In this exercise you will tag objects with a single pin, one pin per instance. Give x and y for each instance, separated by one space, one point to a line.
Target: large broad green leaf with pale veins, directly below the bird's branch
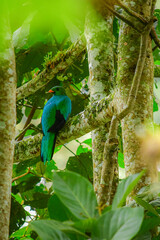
76 193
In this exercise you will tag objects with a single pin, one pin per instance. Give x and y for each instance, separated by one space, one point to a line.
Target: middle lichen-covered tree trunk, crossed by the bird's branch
99 38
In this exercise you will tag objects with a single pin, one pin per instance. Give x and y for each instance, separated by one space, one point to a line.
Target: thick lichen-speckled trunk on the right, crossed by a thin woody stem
129 42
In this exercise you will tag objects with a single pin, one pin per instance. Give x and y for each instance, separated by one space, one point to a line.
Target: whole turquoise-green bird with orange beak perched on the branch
55 114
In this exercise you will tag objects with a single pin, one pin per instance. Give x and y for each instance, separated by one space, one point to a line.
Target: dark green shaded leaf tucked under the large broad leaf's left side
57 210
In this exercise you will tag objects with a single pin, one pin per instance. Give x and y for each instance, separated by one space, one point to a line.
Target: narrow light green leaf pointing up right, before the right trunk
124 188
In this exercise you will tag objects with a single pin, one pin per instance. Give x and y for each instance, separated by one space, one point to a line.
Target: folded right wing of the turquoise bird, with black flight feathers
63 109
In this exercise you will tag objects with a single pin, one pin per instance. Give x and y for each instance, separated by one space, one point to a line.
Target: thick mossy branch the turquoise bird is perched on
93 116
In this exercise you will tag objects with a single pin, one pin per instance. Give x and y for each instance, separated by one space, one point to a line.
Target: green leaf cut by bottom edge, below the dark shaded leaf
51 229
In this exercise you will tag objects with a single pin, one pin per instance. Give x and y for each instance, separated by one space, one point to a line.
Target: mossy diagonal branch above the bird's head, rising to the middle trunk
58 64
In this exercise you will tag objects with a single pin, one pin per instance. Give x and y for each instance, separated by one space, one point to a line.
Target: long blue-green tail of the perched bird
47 146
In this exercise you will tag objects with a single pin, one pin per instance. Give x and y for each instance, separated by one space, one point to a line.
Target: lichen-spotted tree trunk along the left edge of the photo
7 119
